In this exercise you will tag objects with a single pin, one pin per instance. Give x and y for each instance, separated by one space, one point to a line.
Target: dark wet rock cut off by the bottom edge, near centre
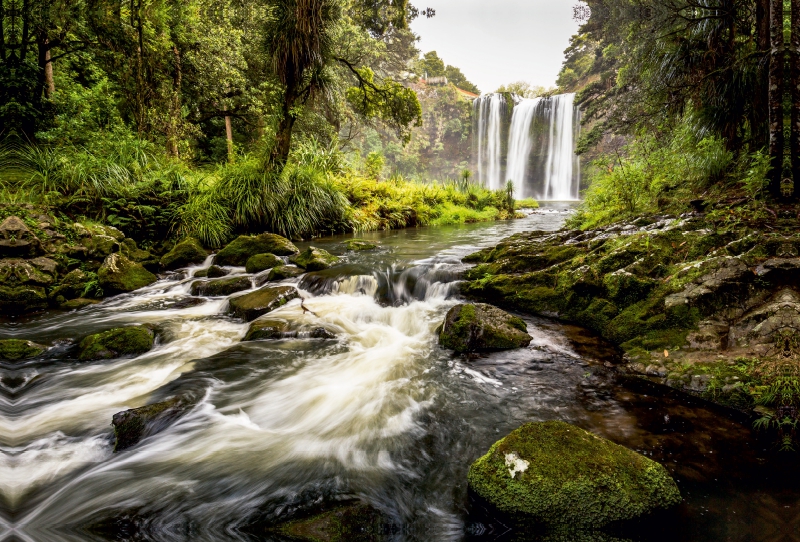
354 523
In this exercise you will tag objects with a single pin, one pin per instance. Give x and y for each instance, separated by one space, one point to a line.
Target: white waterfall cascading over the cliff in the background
540 150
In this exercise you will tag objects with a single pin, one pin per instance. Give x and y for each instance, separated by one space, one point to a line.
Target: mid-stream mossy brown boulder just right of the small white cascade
480 327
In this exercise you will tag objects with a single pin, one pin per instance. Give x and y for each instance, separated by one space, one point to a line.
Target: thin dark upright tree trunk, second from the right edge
776 87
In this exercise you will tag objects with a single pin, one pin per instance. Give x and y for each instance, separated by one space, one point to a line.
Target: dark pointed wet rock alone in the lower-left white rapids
131 426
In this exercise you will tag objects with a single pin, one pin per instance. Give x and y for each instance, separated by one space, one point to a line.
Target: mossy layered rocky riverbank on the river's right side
713 311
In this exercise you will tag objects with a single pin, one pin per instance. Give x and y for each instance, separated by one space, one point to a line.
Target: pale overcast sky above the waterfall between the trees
499 41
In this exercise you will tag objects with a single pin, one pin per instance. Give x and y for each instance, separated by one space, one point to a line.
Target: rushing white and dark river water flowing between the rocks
380 414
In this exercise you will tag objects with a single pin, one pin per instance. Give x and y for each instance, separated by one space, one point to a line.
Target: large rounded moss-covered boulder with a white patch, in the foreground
559 475
